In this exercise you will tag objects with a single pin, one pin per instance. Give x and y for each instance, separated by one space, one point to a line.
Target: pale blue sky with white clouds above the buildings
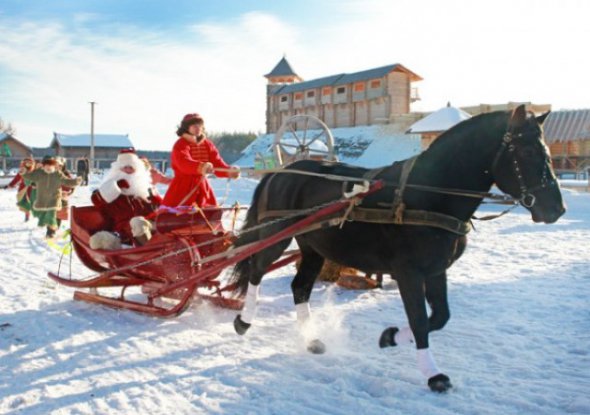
147 63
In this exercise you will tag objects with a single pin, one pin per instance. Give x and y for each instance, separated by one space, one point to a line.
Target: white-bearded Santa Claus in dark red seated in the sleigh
125 197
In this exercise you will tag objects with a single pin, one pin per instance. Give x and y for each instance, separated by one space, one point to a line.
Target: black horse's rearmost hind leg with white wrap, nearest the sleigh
259 263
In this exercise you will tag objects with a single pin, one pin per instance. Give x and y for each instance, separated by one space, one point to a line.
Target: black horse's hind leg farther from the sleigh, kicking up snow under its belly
301 286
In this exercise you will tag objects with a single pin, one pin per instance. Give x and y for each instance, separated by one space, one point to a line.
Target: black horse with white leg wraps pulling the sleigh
430 201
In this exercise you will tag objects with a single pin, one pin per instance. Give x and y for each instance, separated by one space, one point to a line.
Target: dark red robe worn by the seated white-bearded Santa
120 211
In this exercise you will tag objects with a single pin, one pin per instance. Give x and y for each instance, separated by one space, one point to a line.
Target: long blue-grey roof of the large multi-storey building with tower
344 78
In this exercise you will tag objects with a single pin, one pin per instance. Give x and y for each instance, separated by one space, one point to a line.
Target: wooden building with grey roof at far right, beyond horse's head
567 133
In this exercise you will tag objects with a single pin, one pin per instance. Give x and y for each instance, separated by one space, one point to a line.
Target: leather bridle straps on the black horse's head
527 197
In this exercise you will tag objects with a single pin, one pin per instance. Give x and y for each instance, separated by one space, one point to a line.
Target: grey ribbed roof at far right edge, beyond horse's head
567 125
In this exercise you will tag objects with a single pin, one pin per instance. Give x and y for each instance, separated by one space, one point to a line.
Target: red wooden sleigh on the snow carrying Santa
186 246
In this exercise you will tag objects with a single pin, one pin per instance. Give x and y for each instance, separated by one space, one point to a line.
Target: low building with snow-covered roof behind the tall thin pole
106 147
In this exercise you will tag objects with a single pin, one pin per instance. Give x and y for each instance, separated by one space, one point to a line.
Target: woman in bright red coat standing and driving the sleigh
193 157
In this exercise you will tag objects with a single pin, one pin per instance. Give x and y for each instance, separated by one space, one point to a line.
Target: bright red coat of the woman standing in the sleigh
188 185
